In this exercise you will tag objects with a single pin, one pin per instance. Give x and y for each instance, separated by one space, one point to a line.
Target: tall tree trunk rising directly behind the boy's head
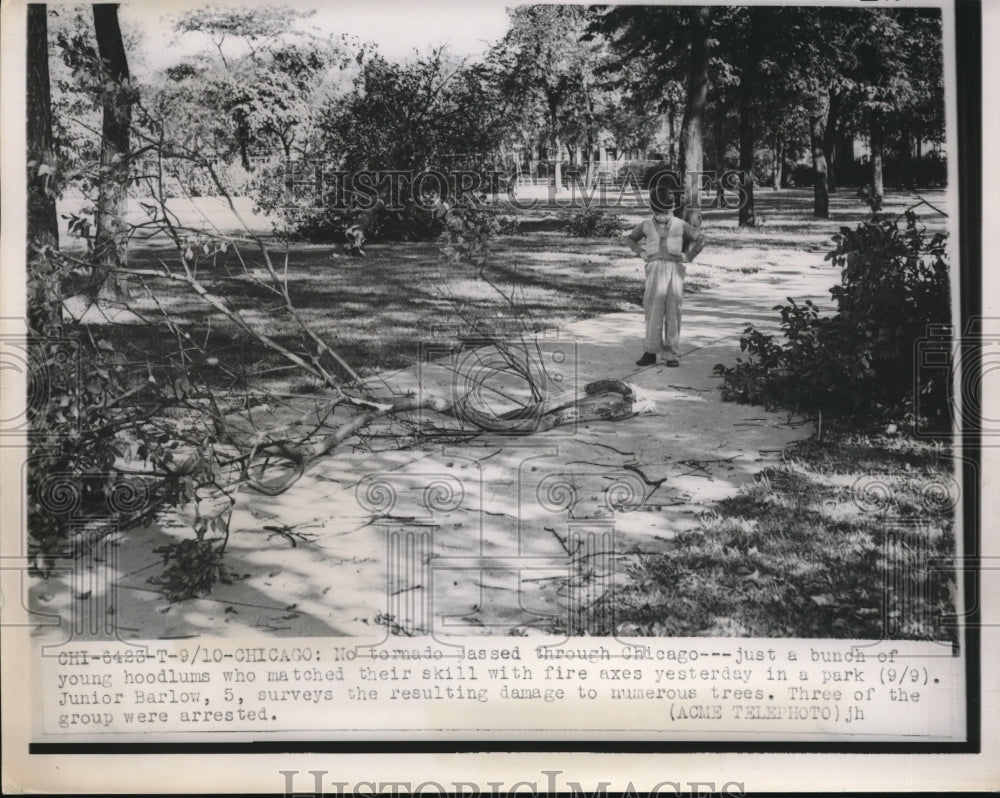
692 138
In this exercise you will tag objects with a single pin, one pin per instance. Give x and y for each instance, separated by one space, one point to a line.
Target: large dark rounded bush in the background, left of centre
434 114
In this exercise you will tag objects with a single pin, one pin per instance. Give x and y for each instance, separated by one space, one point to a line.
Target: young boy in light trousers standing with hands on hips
666 242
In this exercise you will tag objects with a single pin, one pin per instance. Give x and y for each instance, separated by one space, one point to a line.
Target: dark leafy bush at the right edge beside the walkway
861 360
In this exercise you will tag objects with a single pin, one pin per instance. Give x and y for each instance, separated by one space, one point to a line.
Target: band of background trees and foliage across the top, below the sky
754 88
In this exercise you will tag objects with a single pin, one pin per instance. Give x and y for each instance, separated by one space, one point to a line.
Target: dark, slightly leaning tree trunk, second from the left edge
110 235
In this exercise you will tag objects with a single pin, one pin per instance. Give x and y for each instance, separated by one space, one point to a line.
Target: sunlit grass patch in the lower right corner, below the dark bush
850 537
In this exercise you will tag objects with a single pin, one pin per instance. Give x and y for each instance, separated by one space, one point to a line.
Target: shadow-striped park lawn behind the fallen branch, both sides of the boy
379 311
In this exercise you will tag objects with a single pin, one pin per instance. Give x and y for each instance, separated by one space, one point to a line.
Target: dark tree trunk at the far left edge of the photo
43 224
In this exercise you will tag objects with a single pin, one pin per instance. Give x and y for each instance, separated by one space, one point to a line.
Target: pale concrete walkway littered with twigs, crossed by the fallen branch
502 534
